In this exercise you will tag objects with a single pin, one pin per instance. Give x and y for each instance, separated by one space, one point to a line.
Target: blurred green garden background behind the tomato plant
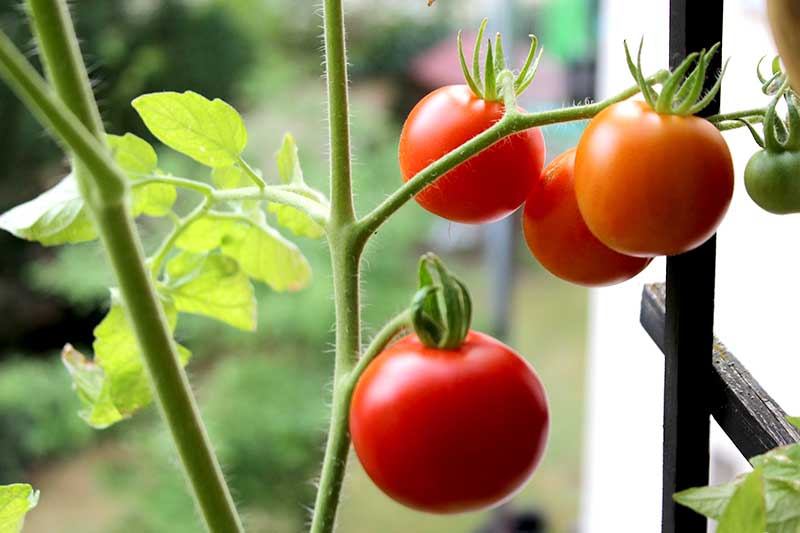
264 394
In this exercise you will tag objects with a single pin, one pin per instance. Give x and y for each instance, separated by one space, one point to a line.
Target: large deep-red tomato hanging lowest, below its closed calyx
447 431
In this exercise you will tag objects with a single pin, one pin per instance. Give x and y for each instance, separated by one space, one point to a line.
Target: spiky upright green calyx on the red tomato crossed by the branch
489 87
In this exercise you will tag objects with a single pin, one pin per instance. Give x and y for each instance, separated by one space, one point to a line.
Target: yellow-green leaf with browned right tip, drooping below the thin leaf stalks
262 253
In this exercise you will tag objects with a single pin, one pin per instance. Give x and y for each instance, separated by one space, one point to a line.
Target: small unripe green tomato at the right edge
772 180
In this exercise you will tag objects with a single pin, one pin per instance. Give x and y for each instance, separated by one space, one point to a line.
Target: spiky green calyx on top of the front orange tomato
682 91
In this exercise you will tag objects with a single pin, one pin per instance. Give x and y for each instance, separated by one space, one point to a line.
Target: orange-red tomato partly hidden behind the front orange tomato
558 237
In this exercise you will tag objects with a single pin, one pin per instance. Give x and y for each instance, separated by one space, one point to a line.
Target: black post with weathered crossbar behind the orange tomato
701 377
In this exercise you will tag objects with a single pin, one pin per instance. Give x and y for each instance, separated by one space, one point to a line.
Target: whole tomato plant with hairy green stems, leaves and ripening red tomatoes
446 419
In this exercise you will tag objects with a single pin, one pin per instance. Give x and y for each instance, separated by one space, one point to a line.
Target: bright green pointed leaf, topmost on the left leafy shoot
209 131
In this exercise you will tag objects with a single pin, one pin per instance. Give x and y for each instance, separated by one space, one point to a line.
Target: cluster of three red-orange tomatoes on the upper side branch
639 184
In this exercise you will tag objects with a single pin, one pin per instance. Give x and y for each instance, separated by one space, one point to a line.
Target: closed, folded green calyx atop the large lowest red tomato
441 310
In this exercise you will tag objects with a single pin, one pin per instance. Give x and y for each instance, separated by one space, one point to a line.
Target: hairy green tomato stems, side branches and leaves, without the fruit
114 174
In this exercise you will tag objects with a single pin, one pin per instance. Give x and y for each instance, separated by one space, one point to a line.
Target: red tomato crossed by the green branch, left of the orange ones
487 187
